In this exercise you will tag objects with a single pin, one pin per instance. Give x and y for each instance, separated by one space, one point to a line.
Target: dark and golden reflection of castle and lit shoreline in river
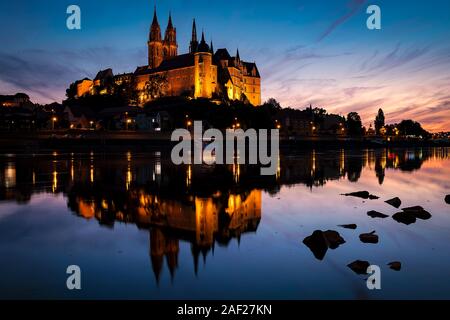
204 205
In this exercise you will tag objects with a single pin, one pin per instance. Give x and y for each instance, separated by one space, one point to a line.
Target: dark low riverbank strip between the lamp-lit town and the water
95 139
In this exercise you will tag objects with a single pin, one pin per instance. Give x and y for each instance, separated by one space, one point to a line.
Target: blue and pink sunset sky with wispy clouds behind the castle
313 51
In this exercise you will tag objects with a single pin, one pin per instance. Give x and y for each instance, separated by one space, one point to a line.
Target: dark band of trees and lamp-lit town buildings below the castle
79 117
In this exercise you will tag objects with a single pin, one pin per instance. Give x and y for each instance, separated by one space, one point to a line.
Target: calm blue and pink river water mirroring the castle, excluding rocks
139 227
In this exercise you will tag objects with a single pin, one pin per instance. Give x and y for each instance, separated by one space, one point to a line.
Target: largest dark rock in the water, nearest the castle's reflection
319 242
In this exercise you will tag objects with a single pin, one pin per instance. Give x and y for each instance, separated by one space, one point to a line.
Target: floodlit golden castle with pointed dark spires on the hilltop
200 73
